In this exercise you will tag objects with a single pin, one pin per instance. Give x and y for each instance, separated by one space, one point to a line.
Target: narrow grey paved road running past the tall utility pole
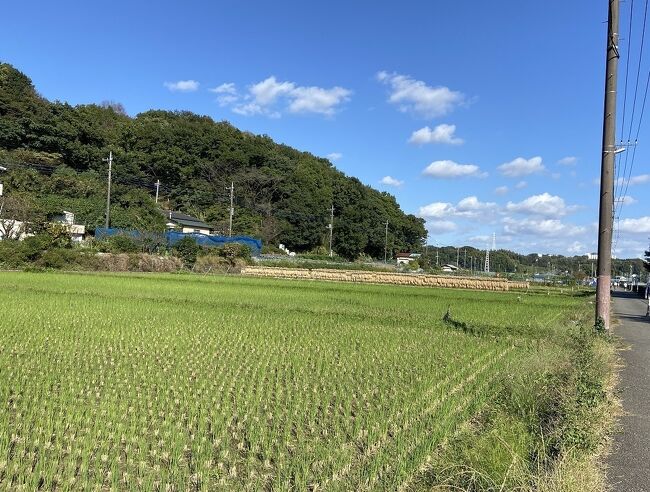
629 462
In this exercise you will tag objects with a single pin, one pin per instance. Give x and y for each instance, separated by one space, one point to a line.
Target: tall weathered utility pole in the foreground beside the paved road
606 218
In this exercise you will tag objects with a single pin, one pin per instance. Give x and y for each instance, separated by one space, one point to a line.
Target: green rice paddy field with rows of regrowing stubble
181 382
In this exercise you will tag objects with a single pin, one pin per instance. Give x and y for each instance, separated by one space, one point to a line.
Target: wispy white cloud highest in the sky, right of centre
417 97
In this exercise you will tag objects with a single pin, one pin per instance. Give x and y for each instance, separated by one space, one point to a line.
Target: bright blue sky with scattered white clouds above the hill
480 117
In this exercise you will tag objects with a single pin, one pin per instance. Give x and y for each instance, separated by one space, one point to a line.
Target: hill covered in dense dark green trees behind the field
54 154
